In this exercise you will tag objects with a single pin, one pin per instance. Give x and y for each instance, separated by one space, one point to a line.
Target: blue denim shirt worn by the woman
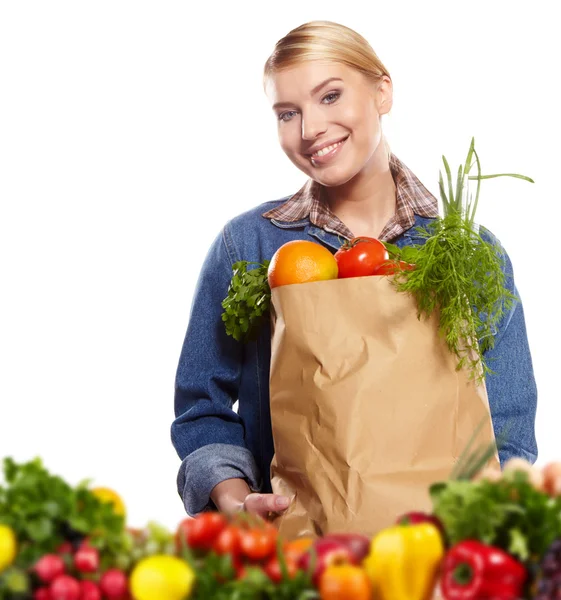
215 443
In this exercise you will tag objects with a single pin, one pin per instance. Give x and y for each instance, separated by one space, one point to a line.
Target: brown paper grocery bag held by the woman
367 407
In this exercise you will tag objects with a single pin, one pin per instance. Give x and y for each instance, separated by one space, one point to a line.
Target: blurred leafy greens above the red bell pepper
509 513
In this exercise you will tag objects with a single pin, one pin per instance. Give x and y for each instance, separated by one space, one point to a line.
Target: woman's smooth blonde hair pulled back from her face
326 41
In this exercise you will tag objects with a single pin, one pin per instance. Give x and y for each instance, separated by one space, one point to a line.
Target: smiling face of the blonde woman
320 104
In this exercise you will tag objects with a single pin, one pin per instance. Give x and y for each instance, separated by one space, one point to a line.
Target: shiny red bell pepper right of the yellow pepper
476 571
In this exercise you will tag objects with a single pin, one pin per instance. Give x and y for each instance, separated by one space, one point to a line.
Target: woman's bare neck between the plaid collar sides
366 202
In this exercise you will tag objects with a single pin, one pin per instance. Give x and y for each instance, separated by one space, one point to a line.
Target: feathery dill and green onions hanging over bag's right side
459 273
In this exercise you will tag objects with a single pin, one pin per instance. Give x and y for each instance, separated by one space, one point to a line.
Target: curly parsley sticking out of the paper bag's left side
248 300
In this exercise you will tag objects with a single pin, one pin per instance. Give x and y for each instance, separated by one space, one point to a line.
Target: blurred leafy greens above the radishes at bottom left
44 510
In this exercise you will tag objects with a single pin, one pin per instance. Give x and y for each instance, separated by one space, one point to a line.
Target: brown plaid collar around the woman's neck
412 198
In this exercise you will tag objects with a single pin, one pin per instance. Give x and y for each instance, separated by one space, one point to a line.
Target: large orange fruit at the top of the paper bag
301 261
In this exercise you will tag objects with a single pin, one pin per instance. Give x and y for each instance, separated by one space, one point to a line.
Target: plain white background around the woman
131 131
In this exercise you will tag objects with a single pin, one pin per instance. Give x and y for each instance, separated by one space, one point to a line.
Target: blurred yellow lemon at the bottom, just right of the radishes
161 576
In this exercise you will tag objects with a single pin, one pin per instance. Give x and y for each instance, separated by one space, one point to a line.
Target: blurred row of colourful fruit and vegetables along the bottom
487 537
